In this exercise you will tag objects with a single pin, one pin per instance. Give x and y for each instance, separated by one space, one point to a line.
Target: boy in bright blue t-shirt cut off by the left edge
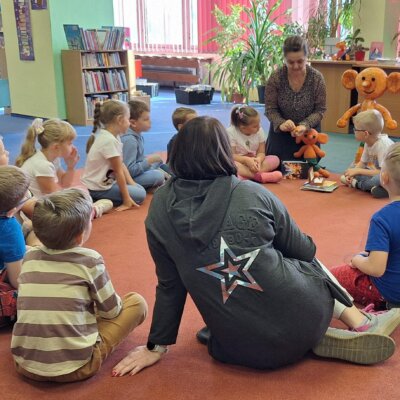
13 187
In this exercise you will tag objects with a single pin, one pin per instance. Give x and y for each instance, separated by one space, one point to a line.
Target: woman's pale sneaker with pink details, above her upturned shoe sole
380 322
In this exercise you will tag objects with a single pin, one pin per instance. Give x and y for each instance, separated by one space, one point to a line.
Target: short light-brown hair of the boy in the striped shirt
60 217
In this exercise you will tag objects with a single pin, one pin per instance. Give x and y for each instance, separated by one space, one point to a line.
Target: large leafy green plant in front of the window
250 54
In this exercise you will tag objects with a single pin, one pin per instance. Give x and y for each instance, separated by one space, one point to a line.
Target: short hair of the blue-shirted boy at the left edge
14 184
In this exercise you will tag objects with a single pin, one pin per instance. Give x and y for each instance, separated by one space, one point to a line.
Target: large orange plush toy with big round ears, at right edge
370 83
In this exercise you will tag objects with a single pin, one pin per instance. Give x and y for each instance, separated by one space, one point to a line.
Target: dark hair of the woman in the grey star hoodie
202 151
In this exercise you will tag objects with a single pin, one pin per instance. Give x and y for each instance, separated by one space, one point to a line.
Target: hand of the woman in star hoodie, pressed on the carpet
135 361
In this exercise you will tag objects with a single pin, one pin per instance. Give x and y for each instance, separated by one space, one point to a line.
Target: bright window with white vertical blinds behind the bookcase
159 26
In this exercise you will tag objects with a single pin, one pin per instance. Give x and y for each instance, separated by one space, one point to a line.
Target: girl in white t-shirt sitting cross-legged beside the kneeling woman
248 146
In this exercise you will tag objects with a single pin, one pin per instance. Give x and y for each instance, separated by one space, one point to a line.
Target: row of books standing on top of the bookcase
106 38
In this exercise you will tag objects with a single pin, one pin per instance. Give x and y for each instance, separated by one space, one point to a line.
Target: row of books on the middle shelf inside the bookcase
98 81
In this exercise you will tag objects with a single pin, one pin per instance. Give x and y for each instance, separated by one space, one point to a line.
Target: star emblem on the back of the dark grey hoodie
232 271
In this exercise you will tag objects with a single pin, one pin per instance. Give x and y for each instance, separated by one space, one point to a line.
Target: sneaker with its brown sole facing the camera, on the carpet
355 347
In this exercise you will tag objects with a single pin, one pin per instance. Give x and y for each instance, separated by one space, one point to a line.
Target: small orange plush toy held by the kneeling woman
310 151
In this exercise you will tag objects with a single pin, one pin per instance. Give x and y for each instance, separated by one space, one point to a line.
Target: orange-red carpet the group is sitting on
338 222
